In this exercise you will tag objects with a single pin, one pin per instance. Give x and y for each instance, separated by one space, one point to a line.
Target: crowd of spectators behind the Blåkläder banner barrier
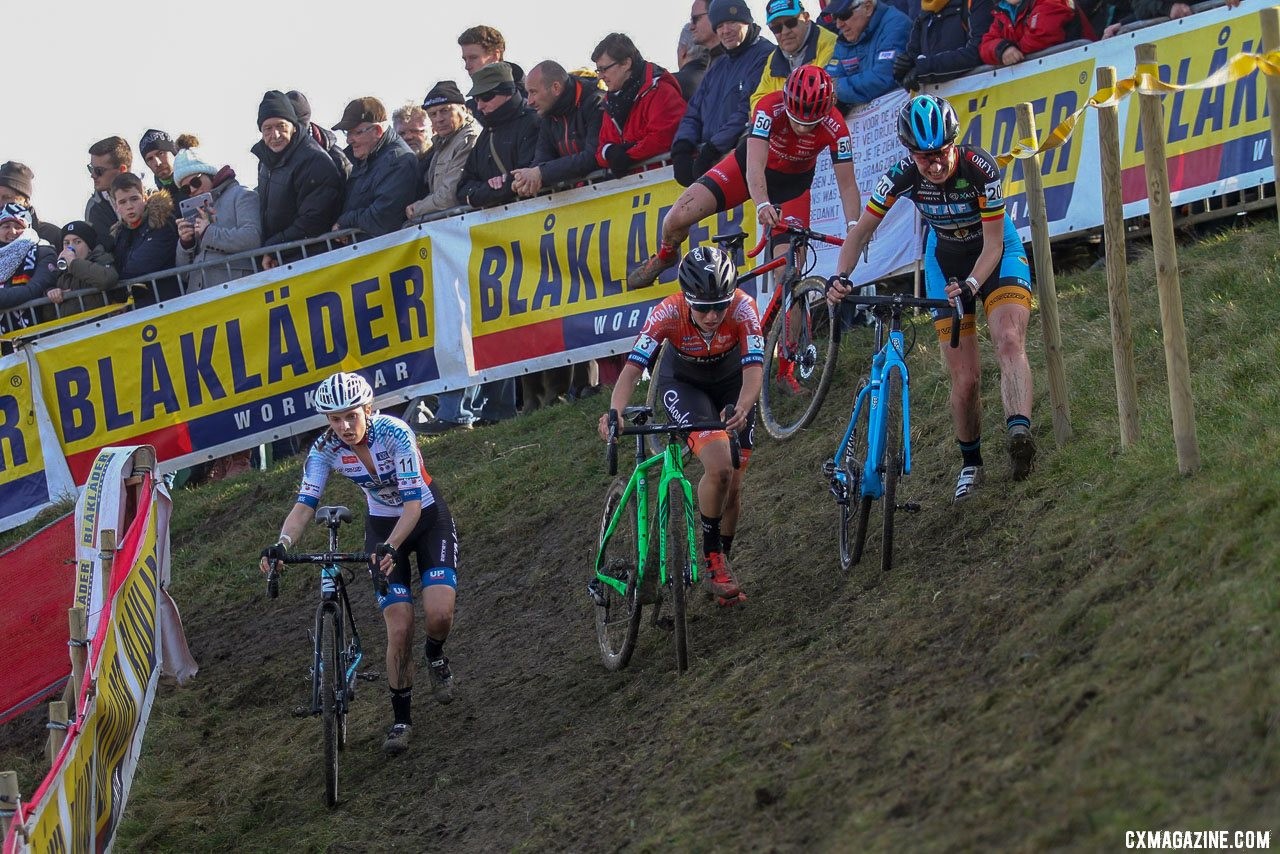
511 136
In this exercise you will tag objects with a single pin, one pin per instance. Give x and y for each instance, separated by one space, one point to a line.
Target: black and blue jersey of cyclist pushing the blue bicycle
956 208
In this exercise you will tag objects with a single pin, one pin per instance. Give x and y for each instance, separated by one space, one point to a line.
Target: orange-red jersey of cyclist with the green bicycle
702 358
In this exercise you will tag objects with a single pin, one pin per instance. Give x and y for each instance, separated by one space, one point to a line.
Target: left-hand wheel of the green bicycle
618 616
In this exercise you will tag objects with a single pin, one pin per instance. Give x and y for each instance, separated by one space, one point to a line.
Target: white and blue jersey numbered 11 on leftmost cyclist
401 476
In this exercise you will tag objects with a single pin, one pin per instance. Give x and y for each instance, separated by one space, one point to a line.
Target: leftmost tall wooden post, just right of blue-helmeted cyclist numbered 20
1046 286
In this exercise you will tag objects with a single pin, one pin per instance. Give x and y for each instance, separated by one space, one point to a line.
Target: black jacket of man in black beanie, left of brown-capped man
299 190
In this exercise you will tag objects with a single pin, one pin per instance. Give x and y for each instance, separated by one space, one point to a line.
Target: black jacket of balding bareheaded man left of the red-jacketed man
572 133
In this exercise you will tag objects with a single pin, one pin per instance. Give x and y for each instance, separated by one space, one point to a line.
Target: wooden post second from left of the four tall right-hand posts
1118 268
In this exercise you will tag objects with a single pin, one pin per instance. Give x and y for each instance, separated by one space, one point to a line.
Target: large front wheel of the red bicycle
799 360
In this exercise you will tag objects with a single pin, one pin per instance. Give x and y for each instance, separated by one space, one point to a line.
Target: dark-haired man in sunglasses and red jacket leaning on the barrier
642 111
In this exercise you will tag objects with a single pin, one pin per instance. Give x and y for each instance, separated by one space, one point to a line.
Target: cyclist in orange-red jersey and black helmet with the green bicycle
719 362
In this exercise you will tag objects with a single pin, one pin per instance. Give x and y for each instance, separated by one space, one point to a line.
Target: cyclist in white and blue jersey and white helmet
406 515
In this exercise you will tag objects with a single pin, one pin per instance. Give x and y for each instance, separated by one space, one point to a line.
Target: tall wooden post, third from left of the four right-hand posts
1168 282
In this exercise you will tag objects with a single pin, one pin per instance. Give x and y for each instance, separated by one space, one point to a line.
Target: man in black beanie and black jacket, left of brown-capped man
299 188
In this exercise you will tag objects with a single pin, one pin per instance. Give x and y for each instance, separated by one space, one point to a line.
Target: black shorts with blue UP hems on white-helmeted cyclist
435 541
